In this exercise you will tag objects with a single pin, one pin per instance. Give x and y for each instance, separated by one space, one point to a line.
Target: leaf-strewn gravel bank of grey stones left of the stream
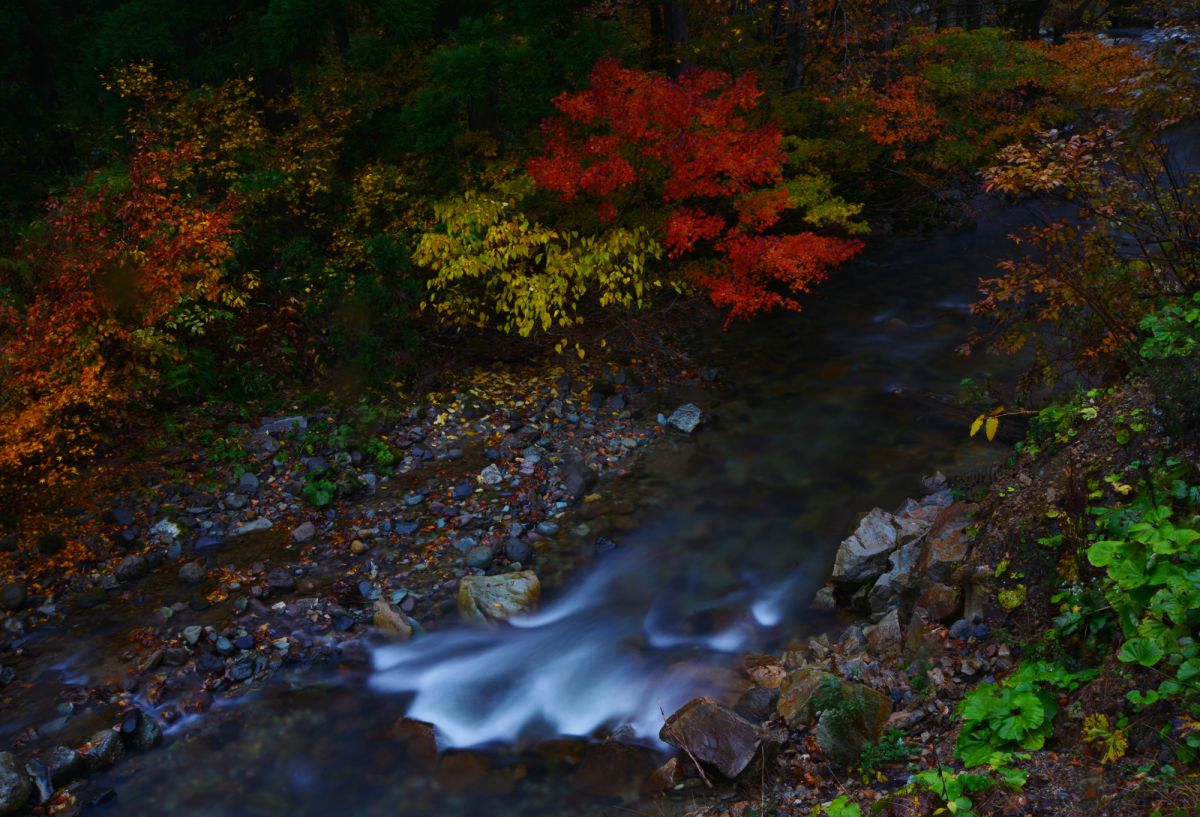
299 542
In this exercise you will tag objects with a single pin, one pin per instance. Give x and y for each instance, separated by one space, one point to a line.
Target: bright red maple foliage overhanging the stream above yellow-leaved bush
692 157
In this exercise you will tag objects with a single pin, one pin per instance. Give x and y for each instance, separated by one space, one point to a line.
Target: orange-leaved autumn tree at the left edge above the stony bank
128 267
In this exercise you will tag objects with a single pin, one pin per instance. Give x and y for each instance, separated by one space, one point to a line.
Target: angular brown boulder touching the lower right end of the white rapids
715 735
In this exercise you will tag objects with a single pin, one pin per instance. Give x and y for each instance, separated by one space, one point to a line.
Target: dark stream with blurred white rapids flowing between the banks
826 414
